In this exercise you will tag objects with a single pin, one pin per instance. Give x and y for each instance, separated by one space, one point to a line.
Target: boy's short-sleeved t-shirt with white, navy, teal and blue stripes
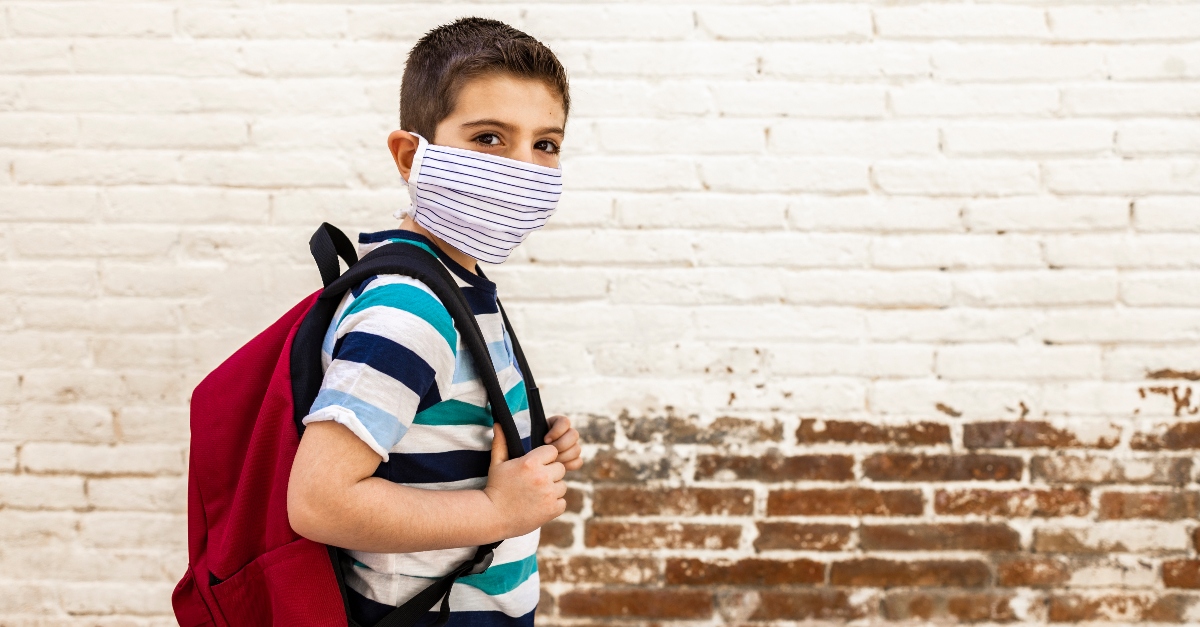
399 377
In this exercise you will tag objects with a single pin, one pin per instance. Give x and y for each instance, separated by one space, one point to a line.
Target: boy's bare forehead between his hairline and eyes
511 101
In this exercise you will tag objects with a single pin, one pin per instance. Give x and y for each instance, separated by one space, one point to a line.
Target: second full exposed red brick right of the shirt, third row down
851 501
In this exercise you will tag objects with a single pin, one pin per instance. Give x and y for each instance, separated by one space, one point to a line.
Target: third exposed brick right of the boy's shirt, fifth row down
887 574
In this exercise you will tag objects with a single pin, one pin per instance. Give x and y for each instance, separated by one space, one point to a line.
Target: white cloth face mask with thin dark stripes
482 205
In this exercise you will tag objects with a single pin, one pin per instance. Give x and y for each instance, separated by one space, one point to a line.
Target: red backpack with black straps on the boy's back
247 566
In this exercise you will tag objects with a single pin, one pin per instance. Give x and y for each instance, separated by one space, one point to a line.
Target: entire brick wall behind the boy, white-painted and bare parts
871 312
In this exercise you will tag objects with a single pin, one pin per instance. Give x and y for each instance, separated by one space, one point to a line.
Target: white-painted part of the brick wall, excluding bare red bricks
868 211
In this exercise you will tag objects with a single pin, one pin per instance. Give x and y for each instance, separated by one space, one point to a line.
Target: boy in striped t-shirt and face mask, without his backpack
483 109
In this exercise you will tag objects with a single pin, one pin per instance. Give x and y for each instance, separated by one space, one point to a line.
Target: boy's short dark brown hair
451 56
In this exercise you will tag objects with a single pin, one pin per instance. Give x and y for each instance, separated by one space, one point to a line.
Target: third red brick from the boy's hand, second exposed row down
908 468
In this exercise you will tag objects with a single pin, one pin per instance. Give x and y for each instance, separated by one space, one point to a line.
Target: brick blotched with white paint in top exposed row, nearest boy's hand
676 431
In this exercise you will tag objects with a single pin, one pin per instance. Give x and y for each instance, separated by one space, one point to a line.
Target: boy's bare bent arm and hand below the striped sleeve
333 498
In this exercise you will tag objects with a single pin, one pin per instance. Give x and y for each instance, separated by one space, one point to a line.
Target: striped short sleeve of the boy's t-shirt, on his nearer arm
393 356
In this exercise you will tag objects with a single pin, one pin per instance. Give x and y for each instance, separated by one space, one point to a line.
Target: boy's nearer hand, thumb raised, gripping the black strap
527 492
